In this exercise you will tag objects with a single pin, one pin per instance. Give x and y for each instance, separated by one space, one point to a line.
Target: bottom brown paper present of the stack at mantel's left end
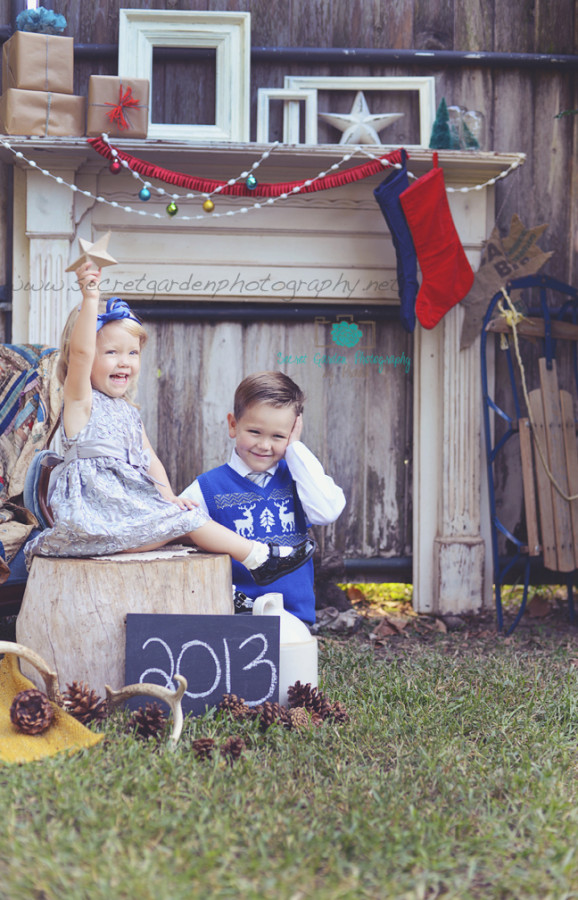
40 113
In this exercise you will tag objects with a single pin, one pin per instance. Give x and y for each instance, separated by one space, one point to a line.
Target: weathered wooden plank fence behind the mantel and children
356 434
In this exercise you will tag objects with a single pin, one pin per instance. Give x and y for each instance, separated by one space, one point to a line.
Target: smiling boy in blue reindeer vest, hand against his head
273 488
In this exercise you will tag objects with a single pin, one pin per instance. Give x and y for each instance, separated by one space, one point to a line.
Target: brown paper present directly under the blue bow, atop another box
38 62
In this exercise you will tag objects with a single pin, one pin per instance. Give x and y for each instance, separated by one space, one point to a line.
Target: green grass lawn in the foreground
456 777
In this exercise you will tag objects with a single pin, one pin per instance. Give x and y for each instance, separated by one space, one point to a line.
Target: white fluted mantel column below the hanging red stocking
450 558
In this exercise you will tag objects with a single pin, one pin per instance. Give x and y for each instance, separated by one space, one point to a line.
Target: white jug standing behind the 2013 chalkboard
298 650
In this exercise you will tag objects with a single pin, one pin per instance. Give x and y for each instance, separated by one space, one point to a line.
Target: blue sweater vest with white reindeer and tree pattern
273 513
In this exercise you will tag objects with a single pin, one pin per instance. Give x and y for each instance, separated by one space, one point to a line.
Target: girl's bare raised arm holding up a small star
77 385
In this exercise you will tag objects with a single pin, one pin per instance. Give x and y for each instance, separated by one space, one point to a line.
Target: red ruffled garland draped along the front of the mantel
208 185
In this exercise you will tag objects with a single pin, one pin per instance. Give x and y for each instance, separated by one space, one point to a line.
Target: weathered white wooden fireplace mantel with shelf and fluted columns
336 234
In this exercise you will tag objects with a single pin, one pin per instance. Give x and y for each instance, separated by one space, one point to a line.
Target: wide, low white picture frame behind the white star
424 85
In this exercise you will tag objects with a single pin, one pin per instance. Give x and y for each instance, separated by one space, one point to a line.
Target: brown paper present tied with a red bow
118 107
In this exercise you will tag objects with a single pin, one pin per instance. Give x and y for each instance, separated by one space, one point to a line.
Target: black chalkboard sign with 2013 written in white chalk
216 654
